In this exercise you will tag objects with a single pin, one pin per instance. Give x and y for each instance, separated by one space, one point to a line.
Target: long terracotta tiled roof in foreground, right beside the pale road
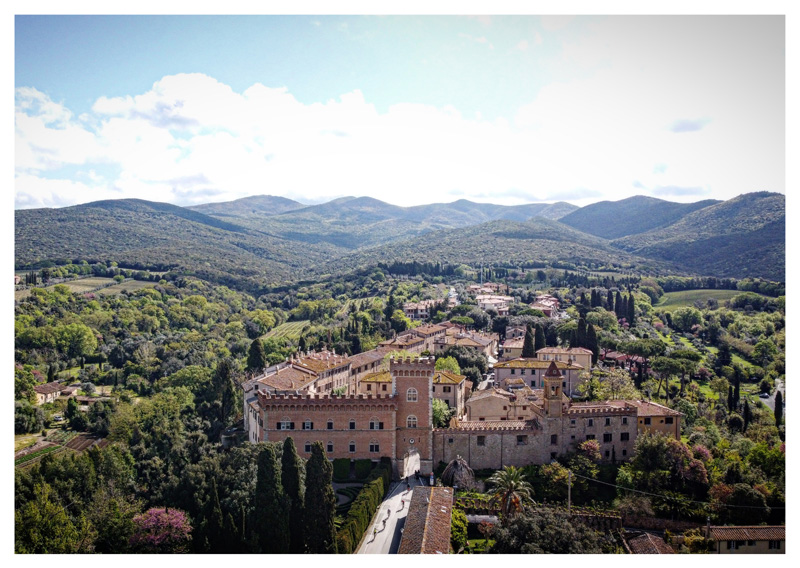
427 528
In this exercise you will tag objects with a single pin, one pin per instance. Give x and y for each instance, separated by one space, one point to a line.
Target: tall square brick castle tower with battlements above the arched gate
412 384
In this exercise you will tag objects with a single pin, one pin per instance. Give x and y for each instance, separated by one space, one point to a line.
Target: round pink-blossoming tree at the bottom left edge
161 530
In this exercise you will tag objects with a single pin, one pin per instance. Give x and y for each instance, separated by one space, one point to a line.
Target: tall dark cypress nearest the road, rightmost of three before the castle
318 514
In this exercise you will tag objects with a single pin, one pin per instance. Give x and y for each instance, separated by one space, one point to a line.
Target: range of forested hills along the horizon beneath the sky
249 240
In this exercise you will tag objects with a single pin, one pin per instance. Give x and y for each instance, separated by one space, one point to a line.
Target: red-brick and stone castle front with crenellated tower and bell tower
399 424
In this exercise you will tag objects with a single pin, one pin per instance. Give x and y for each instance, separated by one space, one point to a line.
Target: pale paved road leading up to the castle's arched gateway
384 537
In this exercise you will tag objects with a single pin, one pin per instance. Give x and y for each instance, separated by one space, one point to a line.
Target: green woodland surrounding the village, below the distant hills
168 359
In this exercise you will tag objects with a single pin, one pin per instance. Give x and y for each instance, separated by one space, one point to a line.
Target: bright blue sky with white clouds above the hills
406 109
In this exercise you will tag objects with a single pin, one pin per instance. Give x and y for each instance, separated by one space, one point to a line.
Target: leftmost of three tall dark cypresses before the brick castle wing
271 504
